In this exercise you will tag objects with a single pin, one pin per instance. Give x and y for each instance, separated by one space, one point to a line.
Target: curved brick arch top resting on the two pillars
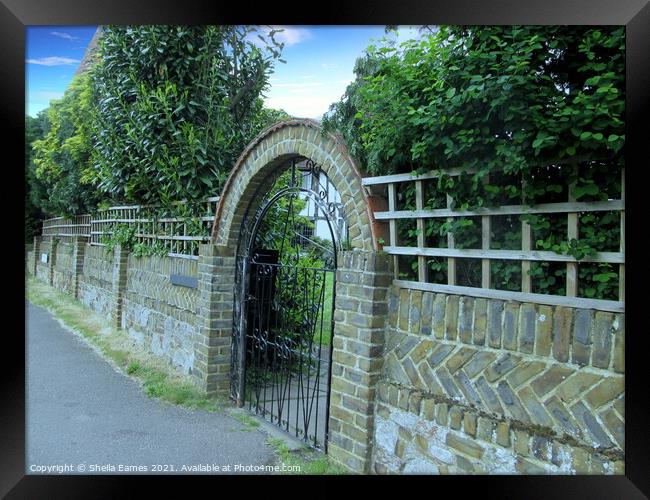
272 148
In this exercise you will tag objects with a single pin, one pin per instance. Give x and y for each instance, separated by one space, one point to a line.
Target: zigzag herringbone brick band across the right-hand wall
586 405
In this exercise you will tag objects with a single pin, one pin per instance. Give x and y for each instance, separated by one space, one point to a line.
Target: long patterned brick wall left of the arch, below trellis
133 293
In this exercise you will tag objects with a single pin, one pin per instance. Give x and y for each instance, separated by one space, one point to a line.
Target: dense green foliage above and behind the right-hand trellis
511 102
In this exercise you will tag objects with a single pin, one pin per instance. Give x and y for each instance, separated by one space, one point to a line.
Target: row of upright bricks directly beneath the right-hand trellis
580 337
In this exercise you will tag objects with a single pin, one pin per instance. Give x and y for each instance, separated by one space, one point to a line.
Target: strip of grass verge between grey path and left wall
157 377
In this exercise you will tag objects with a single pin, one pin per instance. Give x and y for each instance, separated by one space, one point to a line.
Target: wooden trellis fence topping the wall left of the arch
178 235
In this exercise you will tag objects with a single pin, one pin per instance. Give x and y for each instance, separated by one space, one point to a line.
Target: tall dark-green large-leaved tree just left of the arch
176 105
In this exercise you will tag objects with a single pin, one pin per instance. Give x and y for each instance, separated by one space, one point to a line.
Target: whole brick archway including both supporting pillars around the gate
362 279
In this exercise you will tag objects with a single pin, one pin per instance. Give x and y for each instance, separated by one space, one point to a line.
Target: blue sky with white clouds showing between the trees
319 64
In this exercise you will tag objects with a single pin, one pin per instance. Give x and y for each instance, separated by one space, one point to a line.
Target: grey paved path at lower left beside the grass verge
81 411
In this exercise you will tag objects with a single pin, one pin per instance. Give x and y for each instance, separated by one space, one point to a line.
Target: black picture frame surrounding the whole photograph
15 15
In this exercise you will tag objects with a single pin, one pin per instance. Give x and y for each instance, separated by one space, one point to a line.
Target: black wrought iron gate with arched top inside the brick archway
284 302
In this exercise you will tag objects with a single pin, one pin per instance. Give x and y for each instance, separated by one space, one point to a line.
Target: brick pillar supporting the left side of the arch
215 307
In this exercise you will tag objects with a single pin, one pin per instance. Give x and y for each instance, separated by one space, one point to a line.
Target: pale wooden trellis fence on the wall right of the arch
526 255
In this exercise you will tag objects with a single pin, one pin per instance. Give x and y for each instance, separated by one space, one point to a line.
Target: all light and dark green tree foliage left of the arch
161 117
